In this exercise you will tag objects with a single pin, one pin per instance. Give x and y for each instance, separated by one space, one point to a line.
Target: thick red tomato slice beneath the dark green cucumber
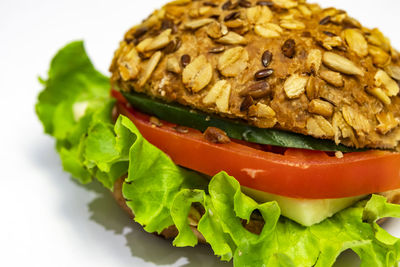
297 174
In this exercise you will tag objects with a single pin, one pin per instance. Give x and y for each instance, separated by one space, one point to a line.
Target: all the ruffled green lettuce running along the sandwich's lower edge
75 108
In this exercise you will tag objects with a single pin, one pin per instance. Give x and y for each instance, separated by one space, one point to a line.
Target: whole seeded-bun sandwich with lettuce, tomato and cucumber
267 129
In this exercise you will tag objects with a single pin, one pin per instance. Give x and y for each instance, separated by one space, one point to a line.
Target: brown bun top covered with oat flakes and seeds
279 64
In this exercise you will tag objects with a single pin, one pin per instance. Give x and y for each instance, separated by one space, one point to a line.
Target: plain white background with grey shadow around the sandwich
47 219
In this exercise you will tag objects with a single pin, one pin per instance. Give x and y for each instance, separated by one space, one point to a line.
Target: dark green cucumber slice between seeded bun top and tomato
236 129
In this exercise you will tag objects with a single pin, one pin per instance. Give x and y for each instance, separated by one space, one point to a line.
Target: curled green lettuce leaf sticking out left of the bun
75 108
